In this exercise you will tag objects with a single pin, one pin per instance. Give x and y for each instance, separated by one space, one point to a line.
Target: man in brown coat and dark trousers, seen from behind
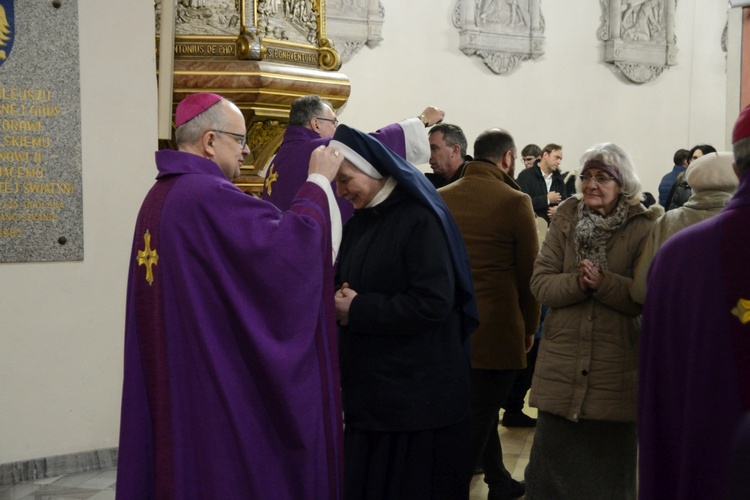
497 223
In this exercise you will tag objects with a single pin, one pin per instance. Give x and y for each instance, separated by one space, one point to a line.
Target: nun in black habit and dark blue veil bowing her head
406 308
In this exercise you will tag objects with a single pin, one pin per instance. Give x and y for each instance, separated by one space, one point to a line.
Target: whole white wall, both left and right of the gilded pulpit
62 323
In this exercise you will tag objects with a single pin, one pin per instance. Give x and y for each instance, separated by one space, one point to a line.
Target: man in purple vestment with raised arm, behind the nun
312 122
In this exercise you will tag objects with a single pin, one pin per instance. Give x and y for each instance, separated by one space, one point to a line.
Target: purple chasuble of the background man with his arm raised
288 170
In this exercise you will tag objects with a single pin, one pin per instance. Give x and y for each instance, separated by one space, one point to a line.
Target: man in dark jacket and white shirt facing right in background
544 183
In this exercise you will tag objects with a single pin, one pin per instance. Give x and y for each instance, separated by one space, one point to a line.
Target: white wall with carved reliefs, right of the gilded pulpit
568 96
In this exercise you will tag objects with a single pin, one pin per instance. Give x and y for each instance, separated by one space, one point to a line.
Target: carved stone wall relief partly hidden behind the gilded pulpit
353 24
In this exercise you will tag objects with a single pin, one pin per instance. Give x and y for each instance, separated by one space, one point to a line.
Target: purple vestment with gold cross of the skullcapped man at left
231 385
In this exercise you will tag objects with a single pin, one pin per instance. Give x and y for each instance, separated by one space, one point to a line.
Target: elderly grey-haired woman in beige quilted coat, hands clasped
585 381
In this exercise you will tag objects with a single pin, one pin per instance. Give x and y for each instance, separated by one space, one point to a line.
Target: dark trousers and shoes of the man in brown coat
489 390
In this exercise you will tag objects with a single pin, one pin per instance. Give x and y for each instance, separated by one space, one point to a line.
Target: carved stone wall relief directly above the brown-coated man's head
503 32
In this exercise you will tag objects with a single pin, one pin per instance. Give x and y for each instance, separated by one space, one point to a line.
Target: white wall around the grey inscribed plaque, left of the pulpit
62 323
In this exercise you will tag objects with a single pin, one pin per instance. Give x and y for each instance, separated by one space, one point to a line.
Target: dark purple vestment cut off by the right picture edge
695 356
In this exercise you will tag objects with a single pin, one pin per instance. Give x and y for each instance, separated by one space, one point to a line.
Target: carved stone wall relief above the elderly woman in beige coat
639 37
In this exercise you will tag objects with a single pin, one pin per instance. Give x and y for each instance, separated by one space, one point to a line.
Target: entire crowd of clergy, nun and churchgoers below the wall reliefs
355 333
